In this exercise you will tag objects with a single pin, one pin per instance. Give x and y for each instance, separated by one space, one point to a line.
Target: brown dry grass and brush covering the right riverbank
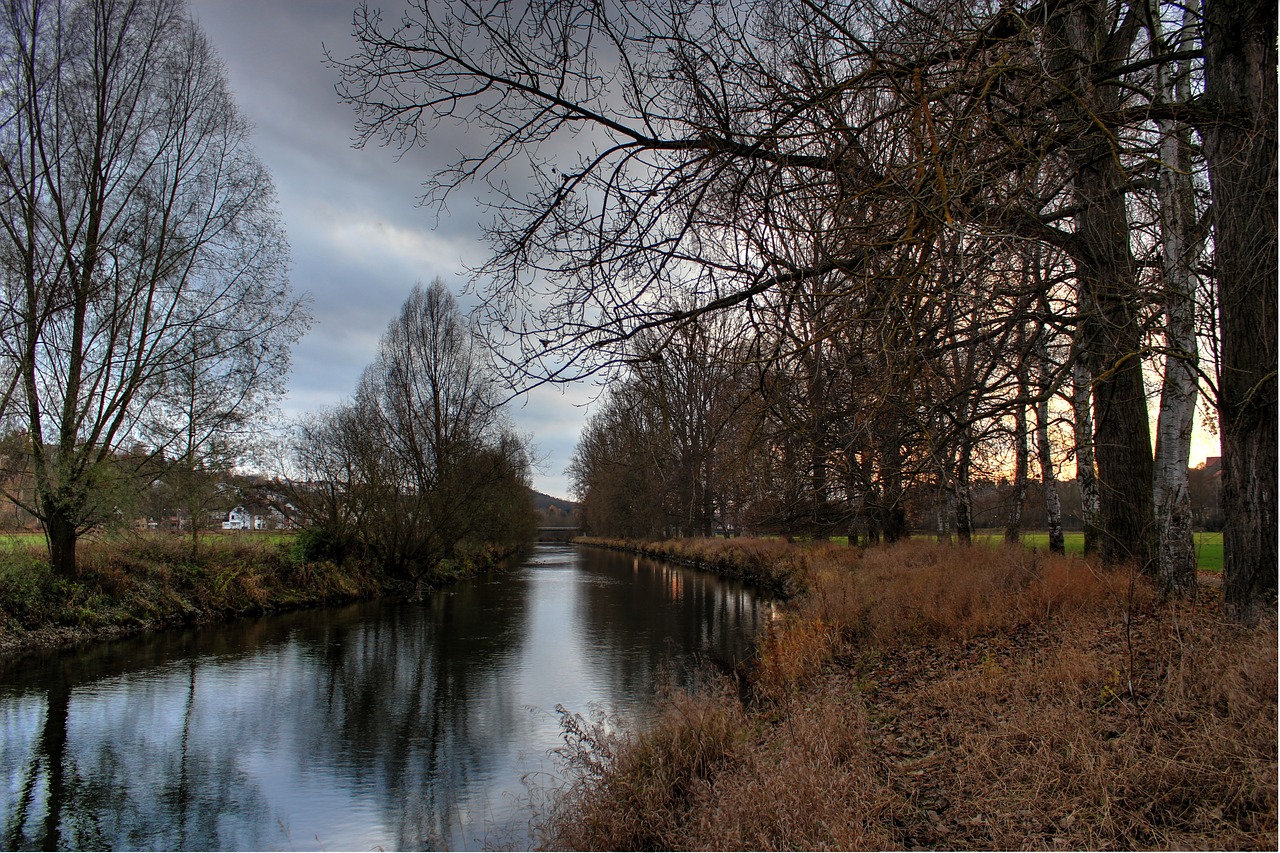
926 696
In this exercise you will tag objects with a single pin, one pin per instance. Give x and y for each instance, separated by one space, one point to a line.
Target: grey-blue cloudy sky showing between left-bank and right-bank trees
360 241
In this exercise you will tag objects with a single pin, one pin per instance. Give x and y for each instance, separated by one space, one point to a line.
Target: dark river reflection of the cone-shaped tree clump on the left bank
424 701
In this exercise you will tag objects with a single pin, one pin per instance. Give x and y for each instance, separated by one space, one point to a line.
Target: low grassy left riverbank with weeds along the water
154 582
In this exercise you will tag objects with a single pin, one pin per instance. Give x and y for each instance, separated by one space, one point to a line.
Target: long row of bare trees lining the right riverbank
900 235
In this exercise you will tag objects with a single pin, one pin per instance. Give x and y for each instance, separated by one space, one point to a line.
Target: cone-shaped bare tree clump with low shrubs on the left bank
420 467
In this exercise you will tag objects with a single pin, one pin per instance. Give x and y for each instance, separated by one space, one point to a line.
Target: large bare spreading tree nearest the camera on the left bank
135 216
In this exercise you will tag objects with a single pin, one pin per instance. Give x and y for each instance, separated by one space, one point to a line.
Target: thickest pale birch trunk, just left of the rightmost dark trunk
1180 393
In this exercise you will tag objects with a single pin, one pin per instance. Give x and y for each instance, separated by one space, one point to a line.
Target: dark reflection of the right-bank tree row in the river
652 609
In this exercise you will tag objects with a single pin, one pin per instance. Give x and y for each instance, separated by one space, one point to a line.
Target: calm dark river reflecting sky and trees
385 726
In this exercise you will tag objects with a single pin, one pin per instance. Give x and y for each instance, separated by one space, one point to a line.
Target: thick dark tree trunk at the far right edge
1241 149
